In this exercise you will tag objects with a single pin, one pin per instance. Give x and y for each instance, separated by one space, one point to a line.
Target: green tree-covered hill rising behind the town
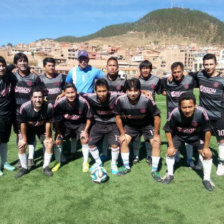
175 22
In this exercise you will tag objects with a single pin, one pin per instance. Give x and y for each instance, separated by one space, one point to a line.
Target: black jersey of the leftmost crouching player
33 118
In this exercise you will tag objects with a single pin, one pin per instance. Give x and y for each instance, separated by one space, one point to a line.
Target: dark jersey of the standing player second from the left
22 87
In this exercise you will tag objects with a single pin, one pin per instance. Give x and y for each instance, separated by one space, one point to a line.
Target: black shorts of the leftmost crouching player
31 133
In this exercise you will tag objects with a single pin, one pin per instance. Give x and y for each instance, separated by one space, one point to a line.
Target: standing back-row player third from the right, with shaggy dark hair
150 85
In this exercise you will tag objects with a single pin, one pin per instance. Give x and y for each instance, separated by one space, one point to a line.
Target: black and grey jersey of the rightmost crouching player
190 129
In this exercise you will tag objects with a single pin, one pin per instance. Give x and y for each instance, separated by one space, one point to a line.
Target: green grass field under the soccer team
70 196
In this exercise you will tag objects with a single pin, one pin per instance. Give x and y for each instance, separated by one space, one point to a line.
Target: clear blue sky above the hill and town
29 20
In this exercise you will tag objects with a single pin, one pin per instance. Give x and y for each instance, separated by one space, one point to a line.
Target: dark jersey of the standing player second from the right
175 89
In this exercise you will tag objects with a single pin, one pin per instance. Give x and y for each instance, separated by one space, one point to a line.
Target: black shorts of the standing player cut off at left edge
5 129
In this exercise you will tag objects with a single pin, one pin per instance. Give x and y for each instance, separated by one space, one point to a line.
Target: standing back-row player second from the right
172 90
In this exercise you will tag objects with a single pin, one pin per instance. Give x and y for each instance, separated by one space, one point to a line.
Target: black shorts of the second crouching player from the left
73 132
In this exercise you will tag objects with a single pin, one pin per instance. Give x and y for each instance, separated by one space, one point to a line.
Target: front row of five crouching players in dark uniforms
122 117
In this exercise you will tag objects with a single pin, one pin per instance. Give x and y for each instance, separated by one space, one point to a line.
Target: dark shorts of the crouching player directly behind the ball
98 131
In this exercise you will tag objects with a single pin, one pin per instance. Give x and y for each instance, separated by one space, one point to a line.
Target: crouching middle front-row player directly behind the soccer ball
102 103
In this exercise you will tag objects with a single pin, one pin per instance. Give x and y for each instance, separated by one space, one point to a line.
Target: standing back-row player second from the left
23 81
